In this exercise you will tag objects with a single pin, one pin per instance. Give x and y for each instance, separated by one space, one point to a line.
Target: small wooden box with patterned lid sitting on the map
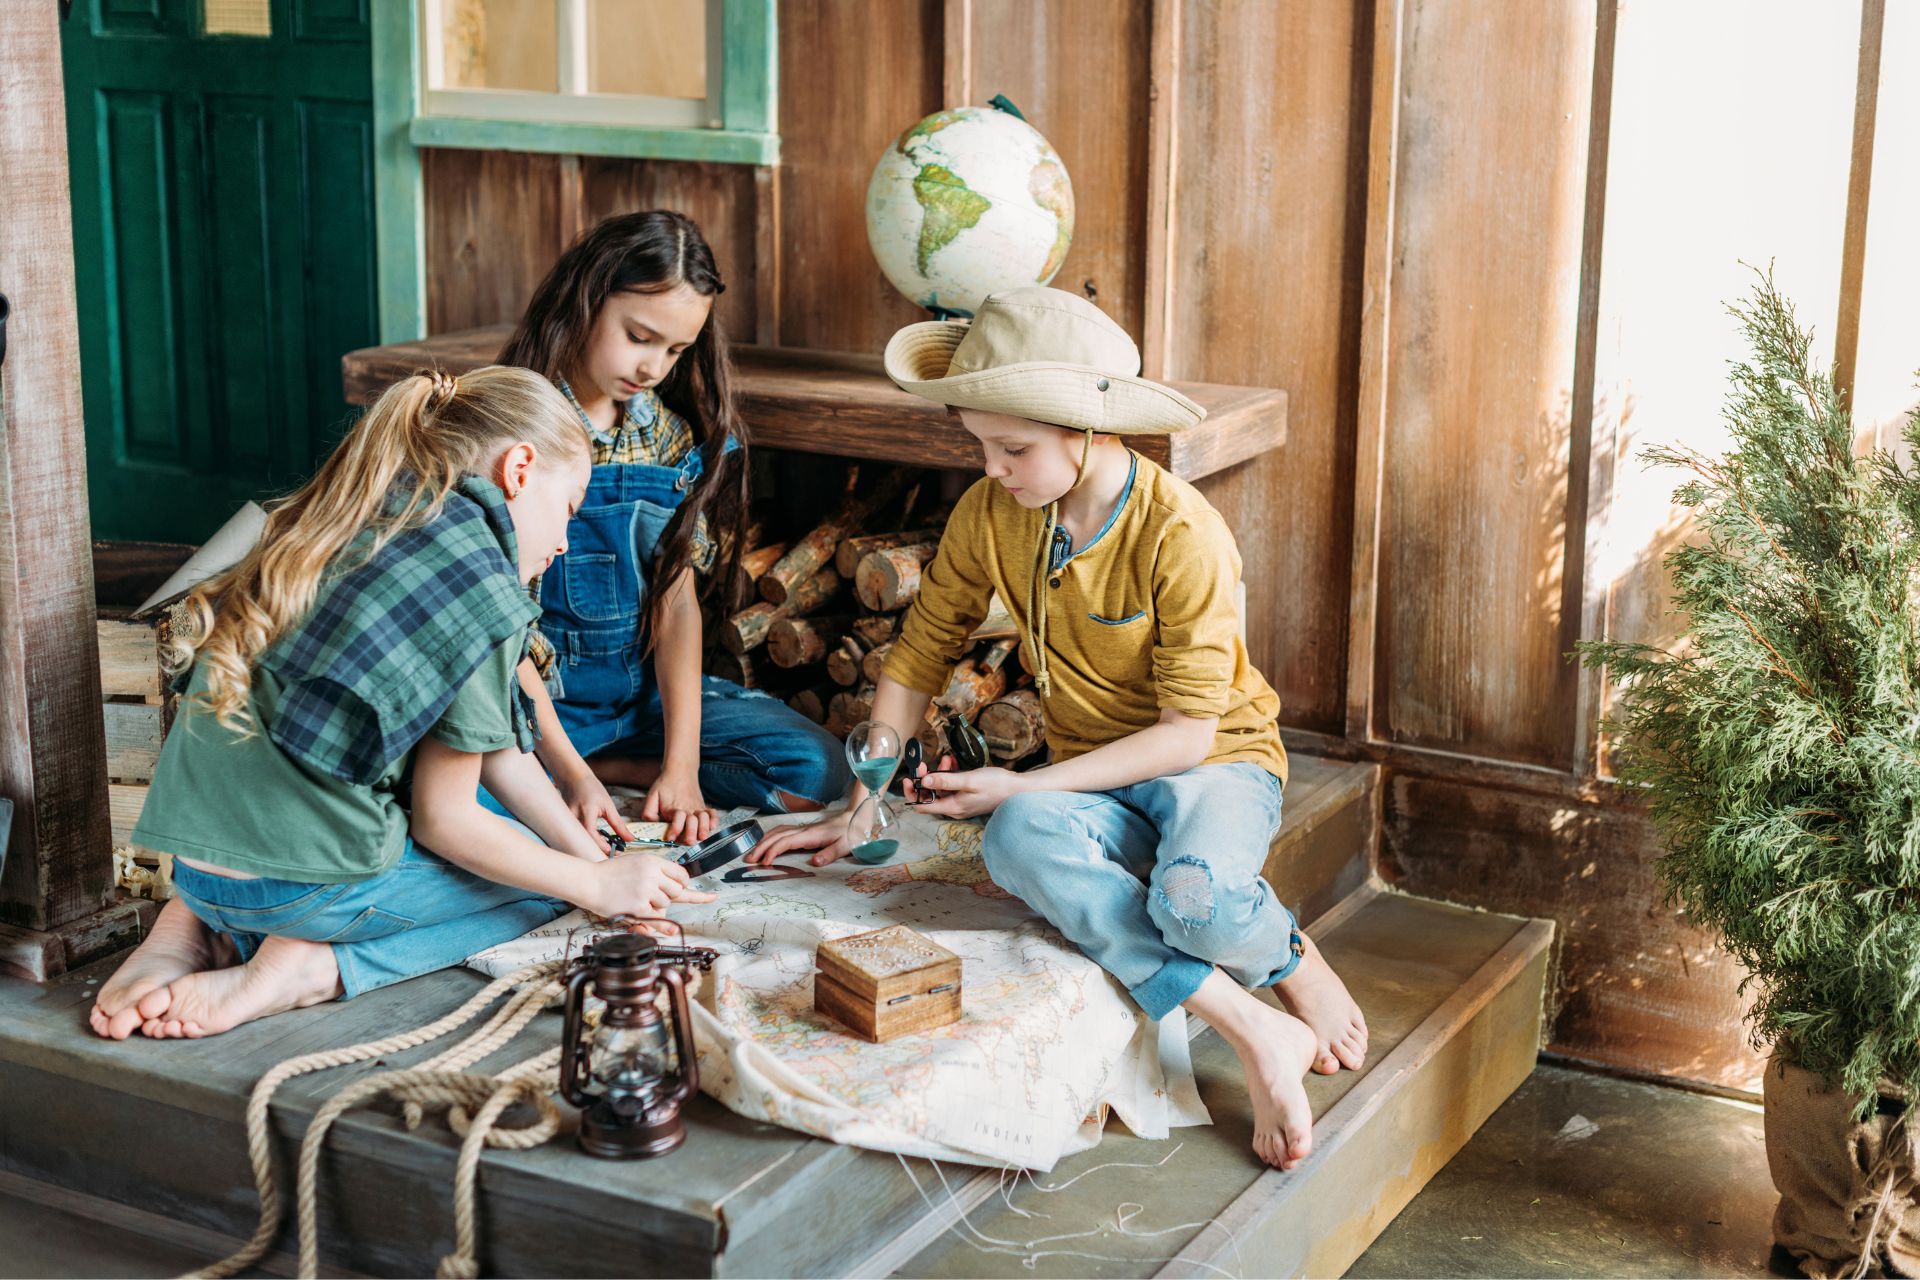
888 984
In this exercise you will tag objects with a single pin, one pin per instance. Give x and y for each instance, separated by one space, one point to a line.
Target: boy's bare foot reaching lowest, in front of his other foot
1276 1051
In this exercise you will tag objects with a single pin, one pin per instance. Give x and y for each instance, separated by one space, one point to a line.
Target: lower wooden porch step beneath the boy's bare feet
1454 1010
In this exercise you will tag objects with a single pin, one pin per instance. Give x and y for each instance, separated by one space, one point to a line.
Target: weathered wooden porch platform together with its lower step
1452 997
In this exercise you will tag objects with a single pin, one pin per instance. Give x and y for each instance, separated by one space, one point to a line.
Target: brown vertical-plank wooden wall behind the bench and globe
1483 247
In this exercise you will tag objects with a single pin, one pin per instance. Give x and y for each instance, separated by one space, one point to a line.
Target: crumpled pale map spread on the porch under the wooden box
1047 1043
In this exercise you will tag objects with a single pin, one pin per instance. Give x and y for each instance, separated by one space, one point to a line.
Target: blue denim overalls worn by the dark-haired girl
754 749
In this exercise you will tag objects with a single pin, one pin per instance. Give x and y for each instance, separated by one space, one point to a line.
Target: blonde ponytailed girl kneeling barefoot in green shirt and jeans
348 690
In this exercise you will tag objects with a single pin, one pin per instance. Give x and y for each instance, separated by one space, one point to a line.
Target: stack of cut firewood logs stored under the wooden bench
827 611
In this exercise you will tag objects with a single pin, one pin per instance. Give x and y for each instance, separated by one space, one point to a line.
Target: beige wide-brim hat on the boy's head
1040 354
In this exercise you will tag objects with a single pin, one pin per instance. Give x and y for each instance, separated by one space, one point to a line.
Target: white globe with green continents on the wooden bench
969 202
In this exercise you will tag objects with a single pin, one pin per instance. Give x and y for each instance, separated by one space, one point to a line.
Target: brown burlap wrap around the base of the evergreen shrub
1850 1191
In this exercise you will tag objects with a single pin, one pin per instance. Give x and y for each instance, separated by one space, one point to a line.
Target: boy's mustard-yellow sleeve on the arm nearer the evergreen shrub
1197 621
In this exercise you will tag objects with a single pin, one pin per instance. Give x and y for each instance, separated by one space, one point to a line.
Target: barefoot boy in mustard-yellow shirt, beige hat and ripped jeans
1145 836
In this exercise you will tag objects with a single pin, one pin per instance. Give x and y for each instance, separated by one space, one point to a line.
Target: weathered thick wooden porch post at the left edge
53 746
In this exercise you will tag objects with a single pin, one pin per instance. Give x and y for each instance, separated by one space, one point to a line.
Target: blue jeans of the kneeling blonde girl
418 916
